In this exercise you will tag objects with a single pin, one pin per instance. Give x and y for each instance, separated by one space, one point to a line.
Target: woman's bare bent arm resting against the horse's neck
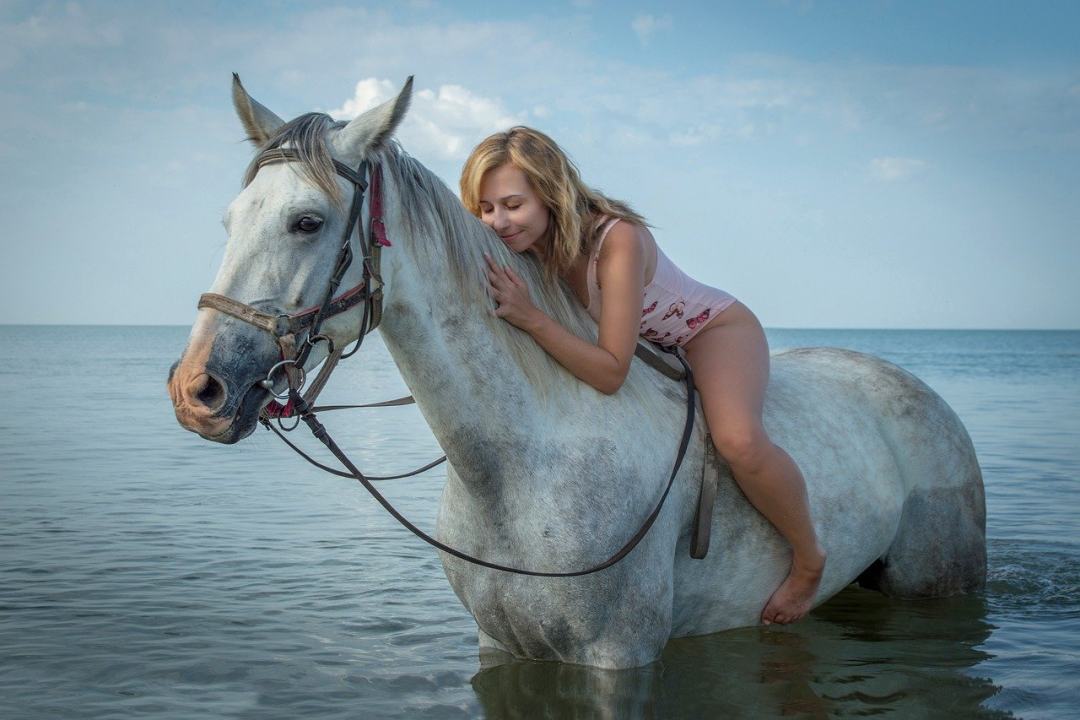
622 274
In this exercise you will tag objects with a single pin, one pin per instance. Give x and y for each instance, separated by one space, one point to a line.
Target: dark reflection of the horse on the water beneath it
861 655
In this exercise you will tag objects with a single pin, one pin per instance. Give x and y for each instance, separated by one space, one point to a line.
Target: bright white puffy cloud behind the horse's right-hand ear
444 124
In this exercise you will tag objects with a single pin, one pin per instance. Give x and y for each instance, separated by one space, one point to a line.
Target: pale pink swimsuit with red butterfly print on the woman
676 308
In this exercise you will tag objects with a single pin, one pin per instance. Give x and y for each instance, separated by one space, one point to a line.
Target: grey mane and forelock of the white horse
449 236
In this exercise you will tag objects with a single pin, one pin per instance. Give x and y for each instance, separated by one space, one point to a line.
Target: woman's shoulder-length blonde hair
575 207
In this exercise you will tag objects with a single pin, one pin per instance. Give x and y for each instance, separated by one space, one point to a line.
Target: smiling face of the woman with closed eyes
510 207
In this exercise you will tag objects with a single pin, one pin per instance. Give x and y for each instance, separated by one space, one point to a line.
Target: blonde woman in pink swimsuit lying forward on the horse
524 186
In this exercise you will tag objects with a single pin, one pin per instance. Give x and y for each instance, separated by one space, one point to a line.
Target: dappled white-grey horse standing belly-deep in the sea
548 474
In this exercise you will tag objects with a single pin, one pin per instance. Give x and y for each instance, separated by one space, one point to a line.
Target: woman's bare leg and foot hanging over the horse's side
731 363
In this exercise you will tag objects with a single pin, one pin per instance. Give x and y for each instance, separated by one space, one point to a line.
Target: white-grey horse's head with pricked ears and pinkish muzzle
287 229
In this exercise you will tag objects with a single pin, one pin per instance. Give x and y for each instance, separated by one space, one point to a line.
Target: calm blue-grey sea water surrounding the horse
146 573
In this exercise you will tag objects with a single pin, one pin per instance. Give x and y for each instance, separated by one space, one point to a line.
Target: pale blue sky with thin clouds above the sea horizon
833 165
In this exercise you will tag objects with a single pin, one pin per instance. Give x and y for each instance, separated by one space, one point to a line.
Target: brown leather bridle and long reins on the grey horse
288 328
